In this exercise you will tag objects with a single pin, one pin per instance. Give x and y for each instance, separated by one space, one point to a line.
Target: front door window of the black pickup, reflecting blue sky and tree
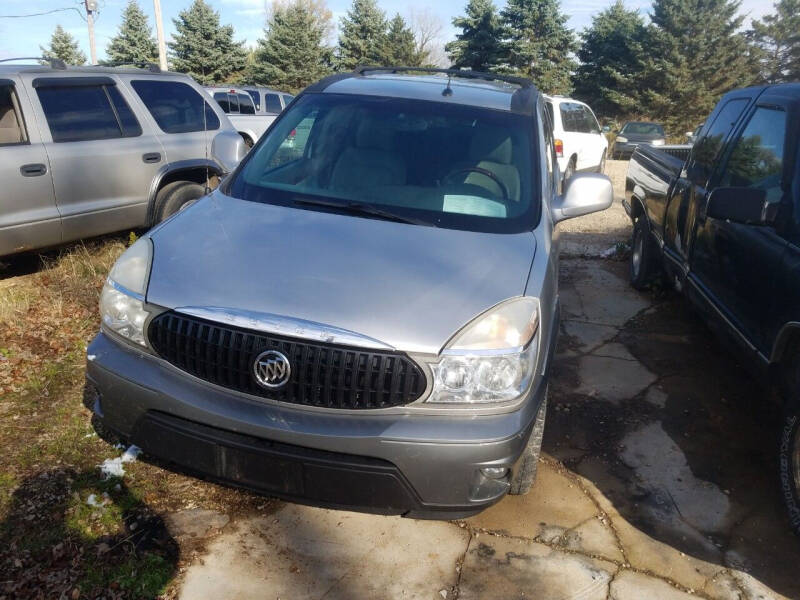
756 160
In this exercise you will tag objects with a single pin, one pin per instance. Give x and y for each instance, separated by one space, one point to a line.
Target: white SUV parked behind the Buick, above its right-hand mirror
580 143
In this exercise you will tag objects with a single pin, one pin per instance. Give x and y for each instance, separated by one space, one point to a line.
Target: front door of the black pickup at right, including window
747 257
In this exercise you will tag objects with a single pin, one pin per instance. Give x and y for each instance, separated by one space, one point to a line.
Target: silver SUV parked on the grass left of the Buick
86 151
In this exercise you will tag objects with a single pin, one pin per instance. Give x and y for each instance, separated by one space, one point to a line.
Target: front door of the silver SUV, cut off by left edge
29 217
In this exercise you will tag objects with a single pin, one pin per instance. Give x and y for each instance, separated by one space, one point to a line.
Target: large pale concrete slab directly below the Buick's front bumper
303 552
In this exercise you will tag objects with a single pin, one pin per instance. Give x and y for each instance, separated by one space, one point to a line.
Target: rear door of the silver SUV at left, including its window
103 161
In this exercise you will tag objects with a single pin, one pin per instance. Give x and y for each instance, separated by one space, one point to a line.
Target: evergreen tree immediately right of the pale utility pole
204 49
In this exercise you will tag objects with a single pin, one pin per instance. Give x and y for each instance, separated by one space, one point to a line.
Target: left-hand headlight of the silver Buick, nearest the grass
122 307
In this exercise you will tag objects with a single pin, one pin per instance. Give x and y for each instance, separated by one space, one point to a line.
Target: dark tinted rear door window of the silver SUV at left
87 112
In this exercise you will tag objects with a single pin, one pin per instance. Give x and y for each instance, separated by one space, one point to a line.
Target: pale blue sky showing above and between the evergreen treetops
23 36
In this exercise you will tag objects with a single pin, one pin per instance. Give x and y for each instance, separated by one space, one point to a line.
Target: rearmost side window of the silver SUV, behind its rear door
177 107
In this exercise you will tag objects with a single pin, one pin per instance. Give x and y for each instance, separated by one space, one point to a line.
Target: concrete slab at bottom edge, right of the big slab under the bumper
503 568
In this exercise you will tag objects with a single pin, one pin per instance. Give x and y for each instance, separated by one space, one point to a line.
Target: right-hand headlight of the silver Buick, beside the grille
492 359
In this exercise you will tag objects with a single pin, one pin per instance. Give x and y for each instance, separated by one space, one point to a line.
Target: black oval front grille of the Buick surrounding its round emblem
322 374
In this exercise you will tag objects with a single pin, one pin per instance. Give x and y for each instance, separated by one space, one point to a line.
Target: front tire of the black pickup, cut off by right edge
789 445
